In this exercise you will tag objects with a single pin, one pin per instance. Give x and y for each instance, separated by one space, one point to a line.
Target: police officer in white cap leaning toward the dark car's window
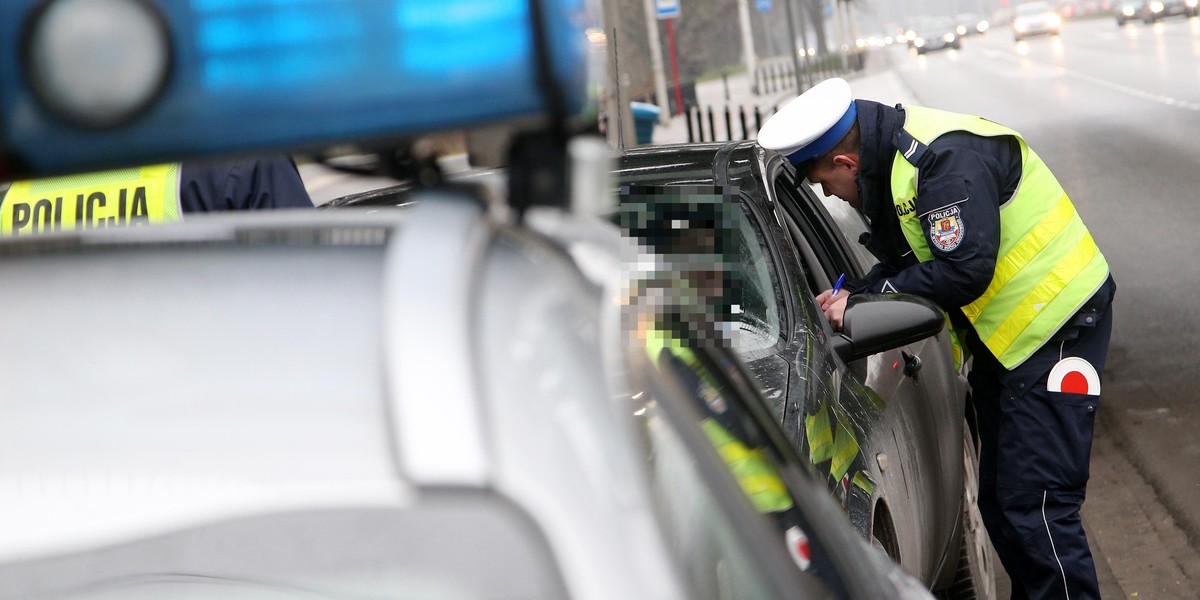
964 213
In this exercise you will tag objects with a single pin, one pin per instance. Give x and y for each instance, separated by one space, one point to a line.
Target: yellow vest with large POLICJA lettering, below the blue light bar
112 199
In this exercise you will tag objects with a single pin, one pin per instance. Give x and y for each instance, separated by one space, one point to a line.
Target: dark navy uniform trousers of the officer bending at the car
1034 464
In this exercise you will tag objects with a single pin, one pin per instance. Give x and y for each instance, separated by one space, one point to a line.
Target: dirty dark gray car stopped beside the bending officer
891 431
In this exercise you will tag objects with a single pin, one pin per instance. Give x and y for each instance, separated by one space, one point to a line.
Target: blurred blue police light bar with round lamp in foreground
88 85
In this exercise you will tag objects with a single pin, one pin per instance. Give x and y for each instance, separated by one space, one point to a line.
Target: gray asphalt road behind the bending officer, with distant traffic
1115 112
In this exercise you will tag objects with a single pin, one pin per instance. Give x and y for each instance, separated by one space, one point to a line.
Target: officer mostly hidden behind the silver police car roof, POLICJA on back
157 194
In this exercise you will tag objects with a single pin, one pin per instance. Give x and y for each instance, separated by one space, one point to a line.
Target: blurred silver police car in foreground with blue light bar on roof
434 404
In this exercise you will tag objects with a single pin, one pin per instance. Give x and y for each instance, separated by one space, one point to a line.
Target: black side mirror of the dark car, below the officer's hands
881 322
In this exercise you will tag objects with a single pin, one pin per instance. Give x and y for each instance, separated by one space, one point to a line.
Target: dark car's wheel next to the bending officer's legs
976 578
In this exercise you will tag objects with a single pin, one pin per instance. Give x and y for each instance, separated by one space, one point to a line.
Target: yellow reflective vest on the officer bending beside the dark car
1048 265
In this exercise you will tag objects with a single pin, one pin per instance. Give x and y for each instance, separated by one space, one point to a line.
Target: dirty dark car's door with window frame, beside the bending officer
915 448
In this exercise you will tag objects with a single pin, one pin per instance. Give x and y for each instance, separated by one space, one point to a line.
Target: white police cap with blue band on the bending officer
813 123
